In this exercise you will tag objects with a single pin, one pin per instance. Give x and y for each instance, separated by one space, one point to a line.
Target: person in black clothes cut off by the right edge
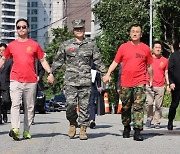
174 83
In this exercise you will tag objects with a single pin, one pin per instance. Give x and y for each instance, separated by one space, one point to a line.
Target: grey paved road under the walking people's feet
49 136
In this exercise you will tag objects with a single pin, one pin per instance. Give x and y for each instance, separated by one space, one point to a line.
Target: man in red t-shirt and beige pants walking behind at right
156 93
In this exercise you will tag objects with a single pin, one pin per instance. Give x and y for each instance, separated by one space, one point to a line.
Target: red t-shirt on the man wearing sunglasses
23 54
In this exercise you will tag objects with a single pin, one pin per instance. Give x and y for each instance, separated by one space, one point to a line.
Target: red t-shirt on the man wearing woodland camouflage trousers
135 59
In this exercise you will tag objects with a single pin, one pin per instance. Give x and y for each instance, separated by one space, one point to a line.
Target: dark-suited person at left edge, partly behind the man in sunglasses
4 85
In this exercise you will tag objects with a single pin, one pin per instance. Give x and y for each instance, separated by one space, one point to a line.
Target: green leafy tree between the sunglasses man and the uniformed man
60 35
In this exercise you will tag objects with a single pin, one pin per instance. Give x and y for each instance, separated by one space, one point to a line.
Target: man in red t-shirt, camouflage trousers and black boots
136 59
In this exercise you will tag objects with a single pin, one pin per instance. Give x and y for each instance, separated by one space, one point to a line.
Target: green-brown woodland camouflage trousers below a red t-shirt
133 101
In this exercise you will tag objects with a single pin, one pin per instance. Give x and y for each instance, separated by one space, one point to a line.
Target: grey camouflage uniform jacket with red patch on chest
76 57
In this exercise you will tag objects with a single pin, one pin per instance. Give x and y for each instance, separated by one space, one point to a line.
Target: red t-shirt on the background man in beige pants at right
160 65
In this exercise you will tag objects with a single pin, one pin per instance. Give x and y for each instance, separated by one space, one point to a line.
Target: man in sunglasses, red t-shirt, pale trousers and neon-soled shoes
23 78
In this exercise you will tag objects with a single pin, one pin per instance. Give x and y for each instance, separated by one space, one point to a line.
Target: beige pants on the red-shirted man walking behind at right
154 95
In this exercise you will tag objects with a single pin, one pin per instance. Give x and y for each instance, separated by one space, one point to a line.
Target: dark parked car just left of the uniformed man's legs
58 102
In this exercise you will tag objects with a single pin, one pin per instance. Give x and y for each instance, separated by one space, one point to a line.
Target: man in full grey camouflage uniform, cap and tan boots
76 53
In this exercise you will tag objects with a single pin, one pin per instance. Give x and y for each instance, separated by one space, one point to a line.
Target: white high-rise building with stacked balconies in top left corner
10 11
